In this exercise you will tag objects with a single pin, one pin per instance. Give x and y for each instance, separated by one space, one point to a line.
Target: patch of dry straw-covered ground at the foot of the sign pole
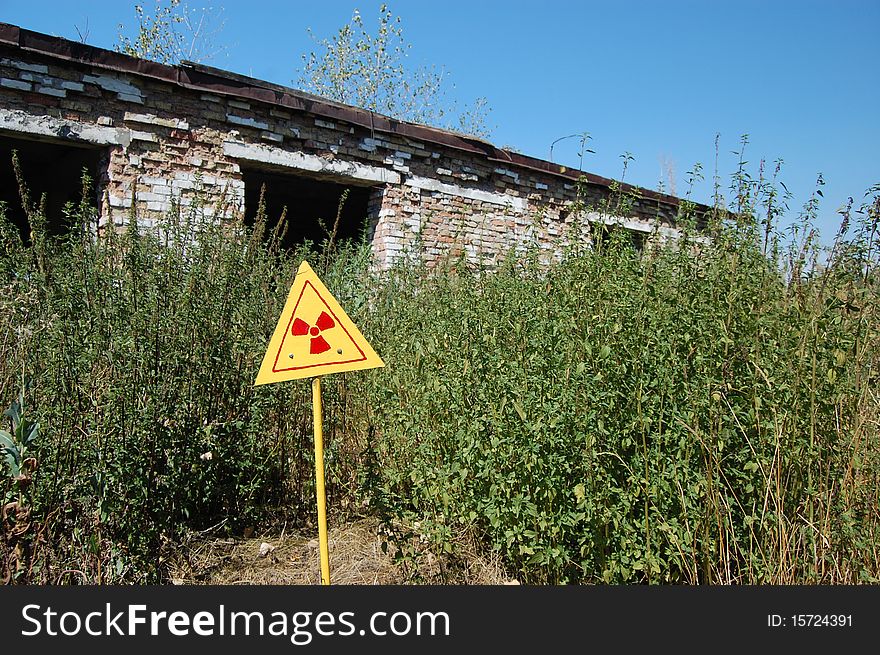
356 558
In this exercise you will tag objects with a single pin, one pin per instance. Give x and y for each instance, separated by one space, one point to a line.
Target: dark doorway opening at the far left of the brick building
51 168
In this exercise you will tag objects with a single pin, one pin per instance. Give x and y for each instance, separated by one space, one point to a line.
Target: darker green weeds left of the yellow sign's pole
138 352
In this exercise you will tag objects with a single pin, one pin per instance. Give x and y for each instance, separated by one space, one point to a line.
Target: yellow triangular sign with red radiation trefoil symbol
314 336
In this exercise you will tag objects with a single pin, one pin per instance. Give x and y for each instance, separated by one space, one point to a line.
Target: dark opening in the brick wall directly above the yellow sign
312 205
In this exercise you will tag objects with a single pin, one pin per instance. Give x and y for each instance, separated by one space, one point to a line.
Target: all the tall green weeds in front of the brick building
704 413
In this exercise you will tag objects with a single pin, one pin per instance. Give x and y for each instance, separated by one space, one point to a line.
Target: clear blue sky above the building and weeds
656 79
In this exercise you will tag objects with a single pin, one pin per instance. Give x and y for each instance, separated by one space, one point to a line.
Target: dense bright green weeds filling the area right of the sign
693 415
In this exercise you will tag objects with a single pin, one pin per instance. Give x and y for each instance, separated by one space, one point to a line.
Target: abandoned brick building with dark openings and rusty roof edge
160 134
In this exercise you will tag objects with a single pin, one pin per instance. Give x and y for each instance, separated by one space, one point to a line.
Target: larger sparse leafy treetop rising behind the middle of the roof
367 69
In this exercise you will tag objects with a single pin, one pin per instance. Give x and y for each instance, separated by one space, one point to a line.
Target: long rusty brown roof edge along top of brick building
216 80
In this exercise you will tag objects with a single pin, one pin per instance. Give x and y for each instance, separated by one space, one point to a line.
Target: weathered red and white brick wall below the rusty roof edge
191 138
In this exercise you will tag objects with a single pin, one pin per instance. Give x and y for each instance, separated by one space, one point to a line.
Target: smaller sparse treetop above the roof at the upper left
173 33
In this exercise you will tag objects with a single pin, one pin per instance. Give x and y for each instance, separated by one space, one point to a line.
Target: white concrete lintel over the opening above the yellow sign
311 163
